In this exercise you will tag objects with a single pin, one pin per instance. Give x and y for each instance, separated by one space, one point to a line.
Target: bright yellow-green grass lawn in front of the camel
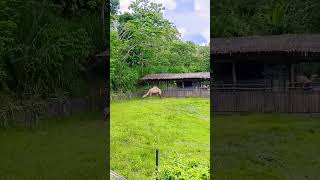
179 127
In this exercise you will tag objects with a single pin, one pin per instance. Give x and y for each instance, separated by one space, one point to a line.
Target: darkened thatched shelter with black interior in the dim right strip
262 62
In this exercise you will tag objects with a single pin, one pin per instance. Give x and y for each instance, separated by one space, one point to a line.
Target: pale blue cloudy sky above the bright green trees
191 17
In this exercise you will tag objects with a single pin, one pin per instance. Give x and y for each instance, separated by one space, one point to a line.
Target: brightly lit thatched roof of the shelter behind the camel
177 76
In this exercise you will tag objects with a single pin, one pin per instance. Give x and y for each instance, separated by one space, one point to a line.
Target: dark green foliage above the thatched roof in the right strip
249 17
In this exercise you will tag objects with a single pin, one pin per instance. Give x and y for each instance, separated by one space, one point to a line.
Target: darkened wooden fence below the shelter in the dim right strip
263 101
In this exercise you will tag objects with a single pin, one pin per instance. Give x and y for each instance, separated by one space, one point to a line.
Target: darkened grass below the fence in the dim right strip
266 146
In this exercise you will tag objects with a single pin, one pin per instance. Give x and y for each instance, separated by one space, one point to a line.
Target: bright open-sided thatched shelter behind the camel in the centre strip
183 80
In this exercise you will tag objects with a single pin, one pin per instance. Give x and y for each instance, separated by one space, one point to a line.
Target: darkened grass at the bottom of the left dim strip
73 147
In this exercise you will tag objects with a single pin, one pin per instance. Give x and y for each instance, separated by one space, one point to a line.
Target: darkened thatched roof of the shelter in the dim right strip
304 43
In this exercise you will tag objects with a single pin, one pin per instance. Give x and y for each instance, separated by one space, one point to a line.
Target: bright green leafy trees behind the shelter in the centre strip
144 42
